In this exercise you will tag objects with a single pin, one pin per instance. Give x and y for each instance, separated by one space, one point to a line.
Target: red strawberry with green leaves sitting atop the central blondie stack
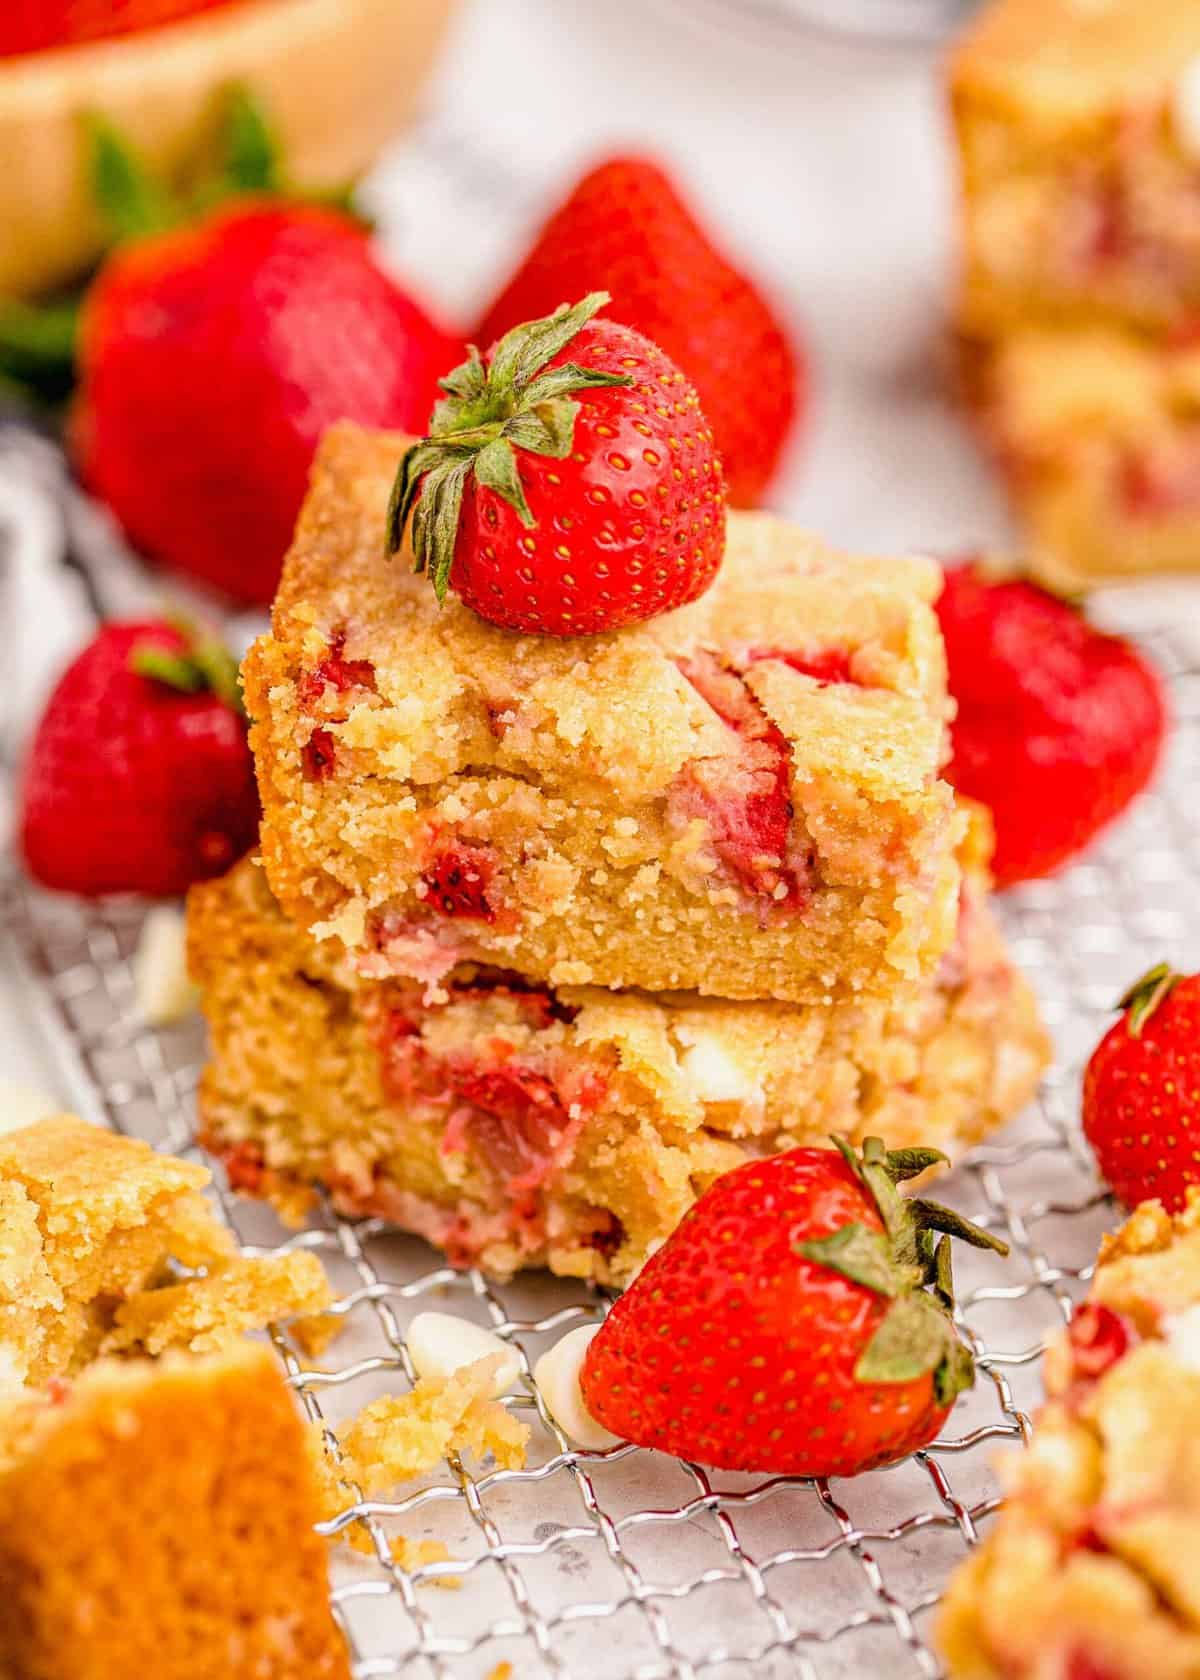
561 513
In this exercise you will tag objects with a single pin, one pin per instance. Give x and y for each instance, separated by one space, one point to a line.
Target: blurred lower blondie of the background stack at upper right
1098 434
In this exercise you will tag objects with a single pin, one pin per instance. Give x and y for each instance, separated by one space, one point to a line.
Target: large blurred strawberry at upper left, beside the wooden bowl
211 362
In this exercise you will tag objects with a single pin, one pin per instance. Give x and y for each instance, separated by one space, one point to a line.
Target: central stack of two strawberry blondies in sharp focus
549 933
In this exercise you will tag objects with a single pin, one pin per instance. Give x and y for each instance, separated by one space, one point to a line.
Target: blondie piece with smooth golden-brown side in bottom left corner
157 1518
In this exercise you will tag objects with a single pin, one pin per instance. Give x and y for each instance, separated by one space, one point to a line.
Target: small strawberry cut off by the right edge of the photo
1142 1091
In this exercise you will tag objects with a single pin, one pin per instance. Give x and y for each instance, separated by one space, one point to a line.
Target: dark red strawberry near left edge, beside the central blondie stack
140 777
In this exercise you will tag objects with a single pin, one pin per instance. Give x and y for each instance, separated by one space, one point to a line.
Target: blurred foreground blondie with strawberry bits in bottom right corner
1093 1568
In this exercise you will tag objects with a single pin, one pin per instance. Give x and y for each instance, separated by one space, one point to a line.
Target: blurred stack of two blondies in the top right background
1078 127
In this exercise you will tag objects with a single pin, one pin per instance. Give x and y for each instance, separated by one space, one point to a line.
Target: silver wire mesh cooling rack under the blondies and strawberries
629 1565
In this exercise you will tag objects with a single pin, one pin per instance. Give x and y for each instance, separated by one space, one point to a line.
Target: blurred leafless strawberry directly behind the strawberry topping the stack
626 229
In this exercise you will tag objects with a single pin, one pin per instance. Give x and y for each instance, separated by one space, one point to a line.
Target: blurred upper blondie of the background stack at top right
1078 137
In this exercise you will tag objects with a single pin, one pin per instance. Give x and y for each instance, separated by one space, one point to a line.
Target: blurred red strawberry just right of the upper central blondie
1058 728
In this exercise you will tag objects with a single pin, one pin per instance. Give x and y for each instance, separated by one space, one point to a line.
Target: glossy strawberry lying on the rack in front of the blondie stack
797 1321
